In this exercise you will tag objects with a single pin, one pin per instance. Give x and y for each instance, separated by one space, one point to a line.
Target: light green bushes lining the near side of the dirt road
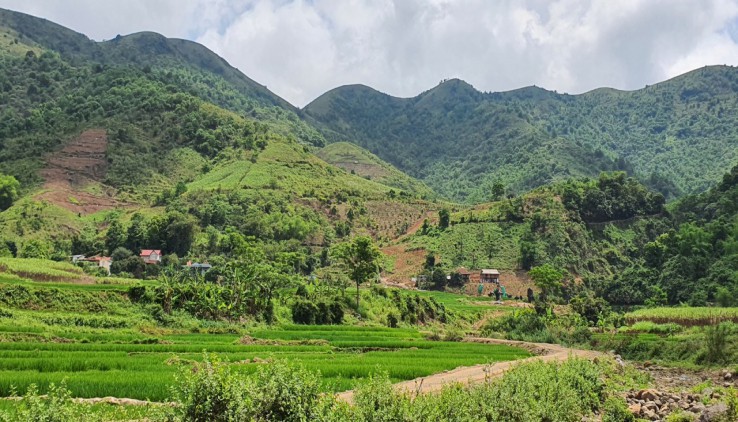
530 392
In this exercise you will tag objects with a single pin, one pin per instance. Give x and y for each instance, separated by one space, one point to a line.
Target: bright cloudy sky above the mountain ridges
302 48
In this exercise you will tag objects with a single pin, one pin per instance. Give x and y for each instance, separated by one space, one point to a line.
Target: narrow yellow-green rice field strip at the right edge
684 316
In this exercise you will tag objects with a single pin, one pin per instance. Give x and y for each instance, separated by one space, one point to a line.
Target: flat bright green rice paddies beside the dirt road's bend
136 366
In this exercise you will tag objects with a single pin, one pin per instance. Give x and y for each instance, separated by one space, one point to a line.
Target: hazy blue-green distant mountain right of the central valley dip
678 136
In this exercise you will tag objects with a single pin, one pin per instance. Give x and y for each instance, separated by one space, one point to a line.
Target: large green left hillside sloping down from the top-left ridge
147 142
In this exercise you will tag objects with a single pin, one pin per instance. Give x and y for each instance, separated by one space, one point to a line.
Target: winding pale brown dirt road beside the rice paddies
468 375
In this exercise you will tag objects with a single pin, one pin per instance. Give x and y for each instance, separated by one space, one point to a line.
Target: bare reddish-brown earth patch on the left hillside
69 171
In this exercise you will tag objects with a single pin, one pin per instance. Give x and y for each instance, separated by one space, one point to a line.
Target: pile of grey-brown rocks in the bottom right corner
655 405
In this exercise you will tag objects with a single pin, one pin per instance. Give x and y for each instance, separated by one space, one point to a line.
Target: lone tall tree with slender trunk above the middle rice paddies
361 258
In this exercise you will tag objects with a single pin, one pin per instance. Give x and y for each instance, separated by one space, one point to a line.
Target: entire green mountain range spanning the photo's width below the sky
144 142
